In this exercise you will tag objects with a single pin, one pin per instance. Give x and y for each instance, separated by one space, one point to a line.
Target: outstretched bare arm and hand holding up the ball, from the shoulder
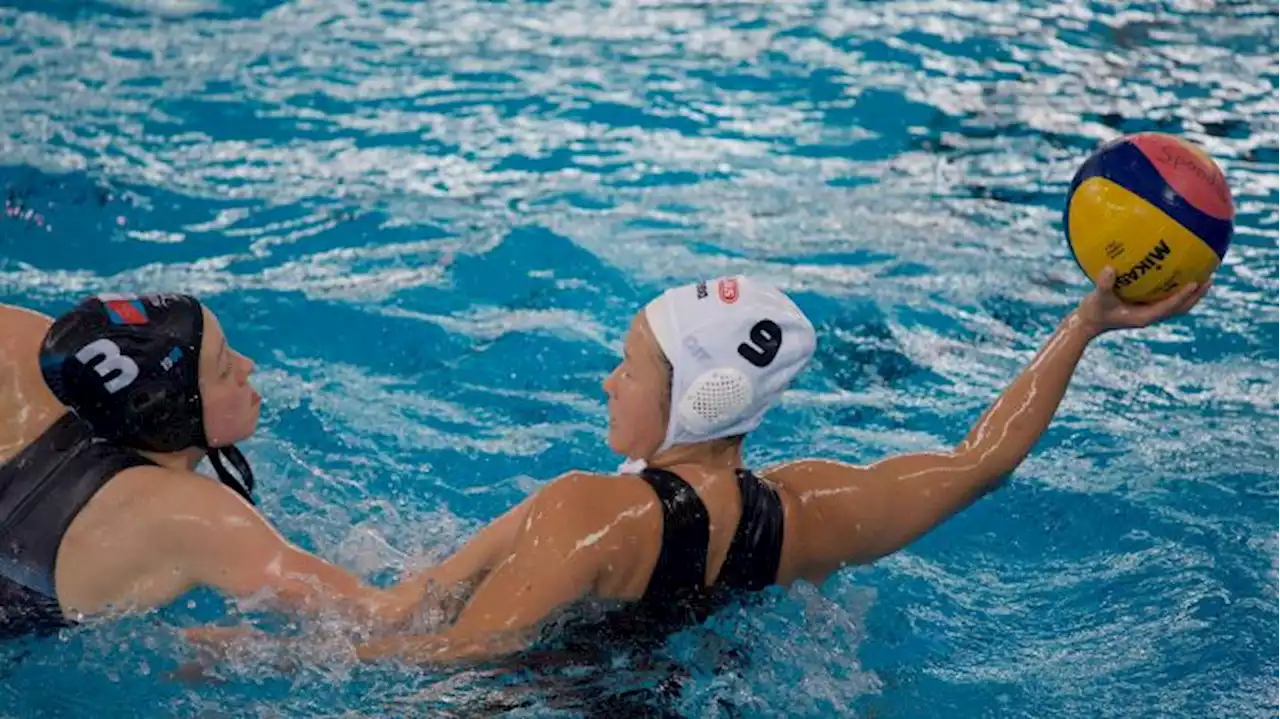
860 514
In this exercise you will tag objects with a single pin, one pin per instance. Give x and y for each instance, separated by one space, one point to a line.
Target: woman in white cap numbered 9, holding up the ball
685 520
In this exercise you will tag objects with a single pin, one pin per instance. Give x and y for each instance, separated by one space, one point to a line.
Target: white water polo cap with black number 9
734 345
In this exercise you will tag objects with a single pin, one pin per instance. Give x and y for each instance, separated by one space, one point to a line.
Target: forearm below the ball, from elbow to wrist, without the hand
1008 432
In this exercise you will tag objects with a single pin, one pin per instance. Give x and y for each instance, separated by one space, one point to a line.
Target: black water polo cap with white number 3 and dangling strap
131 368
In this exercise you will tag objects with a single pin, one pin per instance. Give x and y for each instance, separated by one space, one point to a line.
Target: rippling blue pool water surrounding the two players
429 225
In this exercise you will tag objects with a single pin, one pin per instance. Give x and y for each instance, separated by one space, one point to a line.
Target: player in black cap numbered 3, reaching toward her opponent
100 507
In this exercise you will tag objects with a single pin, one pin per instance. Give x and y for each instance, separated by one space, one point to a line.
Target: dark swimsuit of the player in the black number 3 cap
42 491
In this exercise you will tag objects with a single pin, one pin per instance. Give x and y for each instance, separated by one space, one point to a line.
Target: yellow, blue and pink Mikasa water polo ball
1155 208
